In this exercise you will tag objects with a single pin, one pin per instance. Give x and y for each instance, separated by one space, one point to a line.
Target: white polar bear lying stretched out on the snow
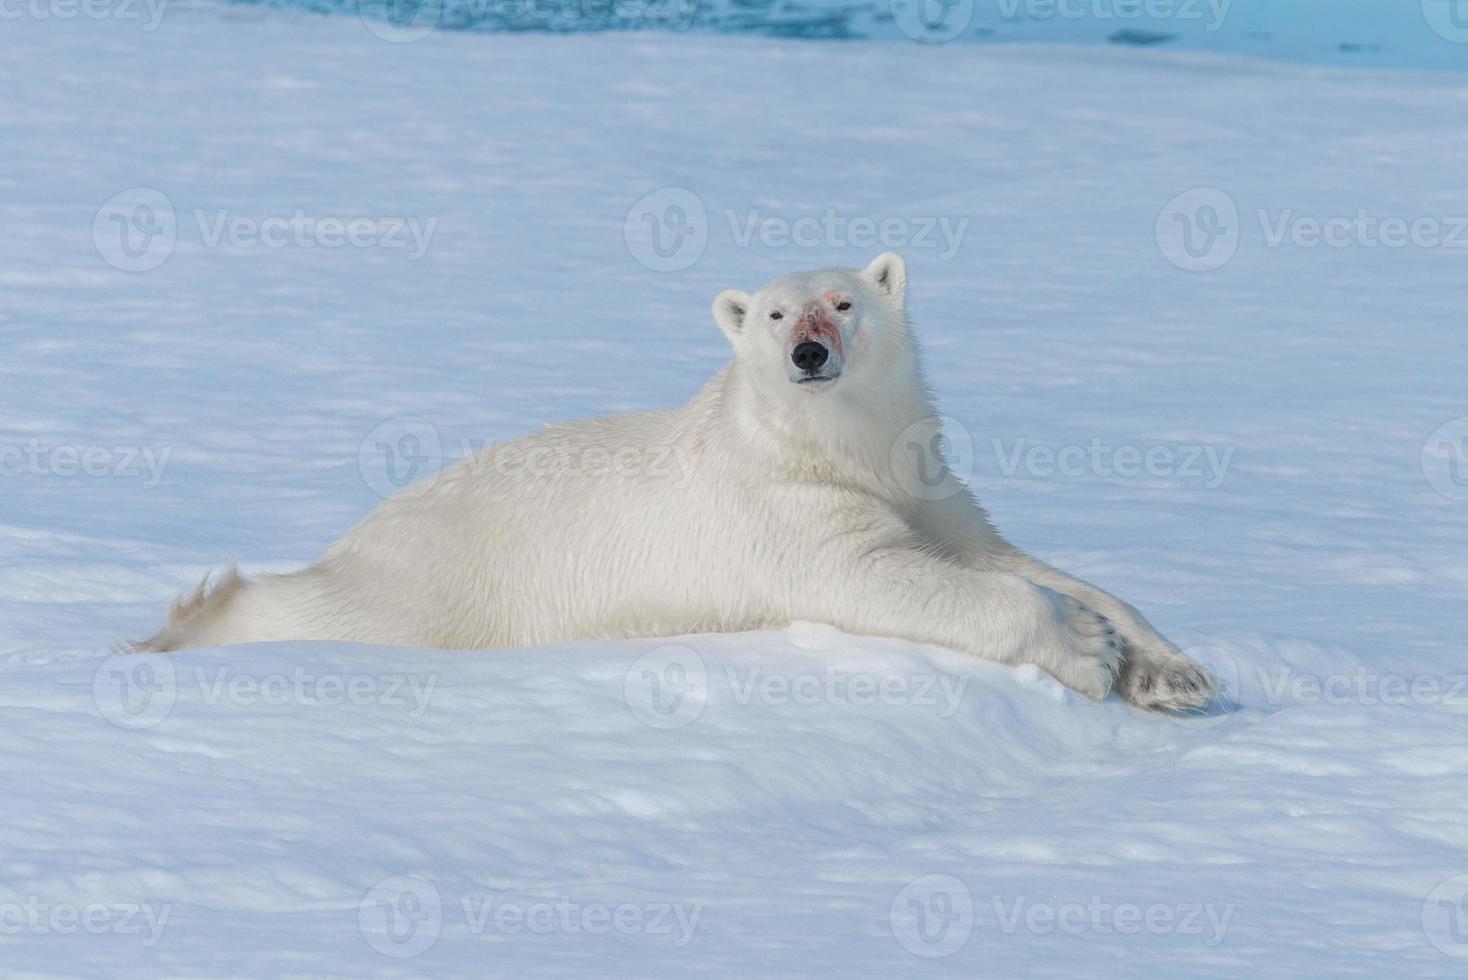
805 482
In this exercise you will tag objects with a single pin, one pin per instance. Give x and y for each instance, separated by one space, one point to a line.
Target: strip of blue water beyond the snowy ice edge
1431 34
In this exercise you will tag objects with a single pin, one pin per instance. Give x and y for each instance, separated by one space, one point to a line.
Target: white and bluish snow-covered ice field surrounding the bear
813 803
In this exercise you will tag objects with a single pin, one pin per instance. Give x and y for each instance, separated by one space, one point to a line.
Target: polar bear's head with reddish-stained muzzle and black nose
814 334
